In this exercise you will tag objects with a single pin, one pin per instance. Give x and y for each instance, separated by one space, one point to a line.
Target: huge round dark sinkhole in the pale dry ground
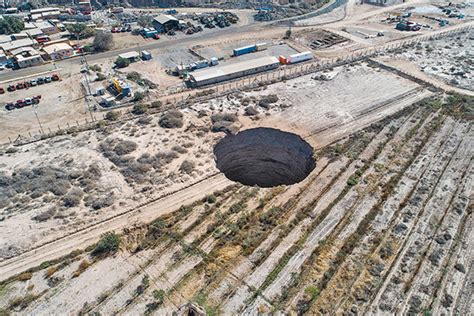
265 157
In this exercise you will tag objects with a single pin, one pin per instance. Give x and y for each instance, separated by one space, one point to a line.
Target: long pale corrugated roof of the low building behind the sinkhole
214 72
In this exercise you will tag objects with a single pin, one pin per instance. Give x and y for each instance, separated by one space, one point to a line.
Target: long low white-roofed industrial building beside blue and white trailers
233 71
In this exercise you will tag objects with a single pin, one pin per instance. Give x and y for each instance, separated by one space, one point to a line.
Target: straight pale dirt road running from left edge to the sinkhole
88 236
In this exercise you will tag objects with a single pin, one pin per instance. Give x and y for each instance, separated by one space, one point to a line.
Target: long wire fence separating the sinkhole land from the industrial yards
180 97
